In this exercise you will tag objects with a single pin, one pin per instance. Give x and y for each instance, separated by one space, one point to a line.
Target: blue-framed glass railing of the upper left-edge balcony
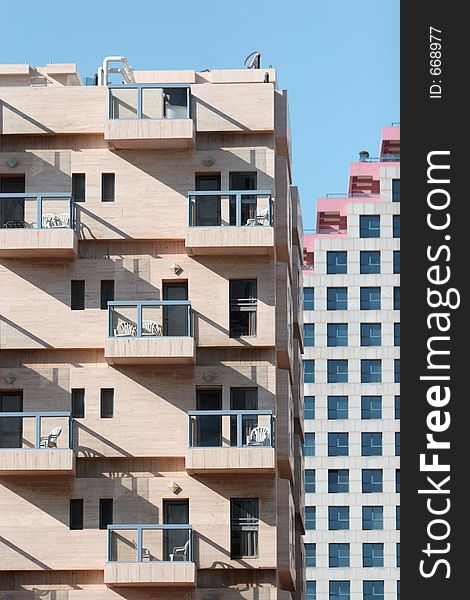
37 210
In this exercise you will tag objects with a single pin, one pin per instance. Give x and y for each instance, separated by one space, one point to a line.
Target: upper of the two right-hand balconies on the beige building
230 222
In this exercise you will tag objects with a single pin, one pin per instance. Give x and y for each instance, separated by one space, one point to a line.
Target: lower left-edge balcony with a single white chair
36 443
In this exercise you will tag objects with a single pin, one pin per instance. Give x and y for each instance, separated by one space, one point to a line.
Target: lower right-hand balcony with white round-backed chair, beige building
230 441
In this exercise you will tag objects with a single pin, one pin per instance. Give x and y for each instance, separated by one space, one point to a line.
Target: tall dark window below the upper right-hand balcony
243 304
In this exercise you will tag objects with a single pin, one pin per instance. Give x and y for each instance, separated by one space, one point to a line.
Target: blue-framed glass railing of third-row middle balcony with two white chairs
151 318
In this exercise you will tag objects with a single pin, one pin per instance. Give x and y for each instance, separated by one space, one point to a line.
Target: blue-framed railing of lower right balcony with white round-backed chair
230 428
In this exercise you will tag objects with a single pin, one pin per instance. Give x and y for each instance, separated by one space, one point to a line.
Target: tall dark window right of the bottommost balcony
244 518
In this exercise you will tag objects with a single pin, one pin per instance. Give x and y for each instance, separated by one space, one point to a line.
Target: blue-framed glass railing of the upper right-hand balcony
235 208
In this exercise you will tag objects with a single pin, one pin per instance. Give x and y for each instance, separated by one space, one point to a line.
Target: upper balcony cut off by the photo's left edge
37 224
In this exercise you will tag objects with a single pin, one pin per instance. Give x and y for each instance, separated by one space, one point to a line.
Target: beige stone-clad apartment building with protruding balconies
151 398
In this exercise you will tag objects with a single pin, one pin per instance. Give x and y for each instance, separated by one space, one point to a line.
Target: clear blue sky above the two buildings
339 60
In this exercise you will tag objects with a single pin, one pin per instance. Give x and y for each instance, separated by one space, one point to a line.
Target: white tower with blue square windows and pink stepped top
352 384
